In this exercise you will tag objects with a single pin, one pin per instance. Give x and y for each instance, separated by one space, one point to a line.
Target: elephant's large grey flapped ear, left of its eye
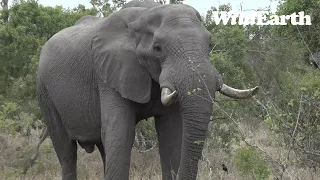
115 60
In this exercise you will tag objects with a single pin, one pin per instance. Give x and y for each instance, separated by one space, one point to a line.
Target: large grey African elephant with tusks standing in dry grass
97 79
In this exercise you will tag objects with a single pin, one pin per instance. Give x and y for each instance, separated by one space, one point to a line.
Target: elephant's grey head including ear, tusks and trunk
167 44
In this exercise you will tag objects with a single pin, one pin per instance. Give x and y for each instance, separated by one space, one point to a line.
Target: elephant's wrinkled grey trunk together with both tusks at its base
193 82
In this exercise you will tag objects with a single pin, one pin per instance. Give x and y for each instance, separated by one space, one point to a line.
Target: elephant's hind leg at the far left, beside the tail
65 148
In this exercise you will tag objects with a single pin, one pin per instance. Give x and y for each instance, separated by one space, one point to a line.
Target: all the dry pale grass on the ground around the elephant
144 166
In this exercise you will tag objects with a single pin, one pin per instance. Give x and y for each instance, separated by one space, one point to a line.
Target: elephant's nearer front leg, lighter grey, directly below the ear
118 130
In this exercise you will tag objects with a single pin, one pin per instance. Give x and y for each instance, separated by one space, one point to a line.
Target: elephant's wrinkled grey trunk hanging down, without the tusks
195 93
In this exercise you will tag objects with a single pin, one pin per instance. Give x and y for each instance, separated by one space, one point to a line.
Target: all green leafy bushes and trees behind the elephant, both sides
273 57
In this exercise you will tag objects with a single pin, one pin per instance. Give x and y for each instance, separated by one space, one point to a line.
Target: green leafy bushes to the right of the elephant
274 58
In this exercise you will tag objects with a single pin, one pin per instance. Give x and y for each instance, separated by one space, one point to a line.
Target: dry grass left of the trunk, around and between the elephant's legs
14 150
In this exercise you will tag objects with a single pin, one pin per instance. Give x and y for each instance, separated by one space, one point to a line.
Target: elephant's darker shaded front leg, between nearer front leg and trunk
169 130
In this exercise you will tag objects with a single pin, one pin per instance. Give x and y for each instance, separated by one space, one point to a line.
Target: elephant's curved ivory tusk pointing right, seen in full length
237 93
